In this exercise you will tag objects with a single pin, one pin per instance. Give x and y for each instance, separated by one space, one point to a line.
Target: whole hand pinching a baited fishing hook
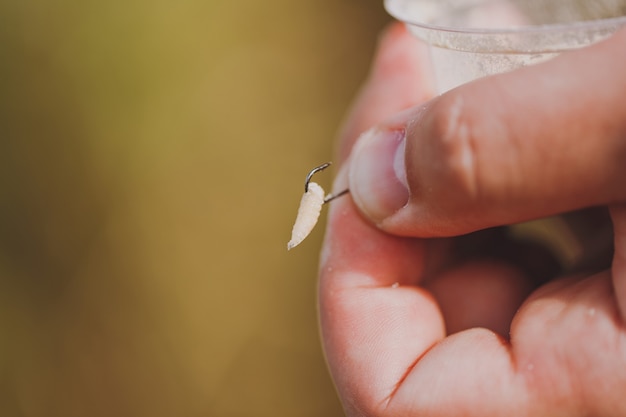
414 326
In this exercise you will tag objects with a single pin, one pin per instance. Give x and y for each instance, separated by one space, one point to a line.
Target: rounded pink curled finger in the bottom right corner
569 341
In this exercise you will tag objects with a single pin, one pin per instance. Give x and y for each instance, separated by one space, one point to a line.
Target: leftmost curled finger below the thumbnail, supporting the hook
375 323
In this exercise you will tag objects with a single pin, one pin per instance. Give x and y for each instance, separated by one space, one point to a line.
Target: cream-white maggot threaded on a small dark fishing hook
310 207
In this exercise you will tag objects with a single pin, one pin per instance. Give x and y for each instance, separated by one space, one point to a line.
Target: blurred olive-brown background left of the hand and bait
152 156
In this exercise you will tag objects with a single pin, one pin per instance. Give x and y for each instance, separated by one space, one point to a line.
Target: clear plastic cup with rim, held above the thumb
470 39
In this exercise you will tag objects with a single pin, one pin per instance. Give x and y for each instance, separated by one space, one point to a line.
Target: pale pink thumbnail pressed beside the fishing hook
378 182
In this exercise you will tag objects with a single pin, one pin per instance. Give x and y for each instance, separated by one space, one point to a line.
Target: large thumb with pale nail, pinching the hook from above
527 144
